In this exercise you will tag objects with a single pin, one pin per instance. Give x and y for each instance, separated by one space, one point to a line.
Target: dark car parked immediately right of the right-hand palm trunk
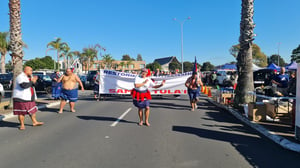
262 77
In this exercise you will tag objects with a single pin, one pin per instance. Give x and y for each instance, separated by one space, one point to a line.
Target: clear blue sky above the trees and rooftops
146 26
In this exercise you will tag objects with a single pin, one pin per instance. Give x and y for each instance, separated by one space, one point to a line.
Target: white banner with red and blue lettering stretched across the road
113 82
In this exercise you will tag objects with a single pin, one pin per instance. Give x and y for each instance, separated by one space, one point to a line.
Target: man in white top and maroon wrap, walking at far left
24 97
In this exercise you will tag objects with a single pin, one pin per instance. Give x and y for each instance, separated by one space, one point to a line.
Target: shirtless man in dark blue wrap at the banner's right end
193 84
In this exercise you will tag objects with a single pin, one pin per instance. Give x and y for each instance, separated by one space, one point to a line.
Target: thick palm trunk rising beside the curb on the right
244 58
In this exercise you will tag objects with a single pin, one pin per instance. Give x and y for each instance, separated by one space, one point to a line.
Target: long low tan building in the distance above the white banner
117 65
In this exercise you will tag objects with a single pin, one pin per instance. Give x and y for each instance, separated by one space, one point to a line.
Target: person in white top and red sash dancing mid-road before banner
141 95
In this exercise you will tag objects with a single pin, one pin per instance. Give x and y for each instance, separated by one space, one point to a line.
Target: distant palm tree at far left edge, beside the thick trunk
4 46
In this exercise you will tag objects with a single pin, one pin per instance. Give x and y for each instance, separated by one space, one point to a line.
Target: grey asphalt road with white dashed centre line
90 138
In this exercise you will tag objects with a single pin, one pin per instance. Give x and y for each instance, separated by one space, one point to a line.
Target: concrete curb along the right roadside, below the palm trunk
283 142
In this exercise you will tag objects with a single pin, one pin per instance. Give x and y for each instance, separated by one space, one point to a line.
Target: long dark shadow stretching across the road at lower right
252 148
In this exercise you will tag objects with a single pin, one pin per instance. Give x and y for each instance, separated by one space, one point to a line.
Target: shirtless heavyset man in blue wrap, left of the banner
69 90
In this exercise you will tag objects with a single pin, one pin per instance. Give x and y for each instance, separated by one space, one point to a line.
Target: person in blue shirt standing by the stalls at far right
281 81
